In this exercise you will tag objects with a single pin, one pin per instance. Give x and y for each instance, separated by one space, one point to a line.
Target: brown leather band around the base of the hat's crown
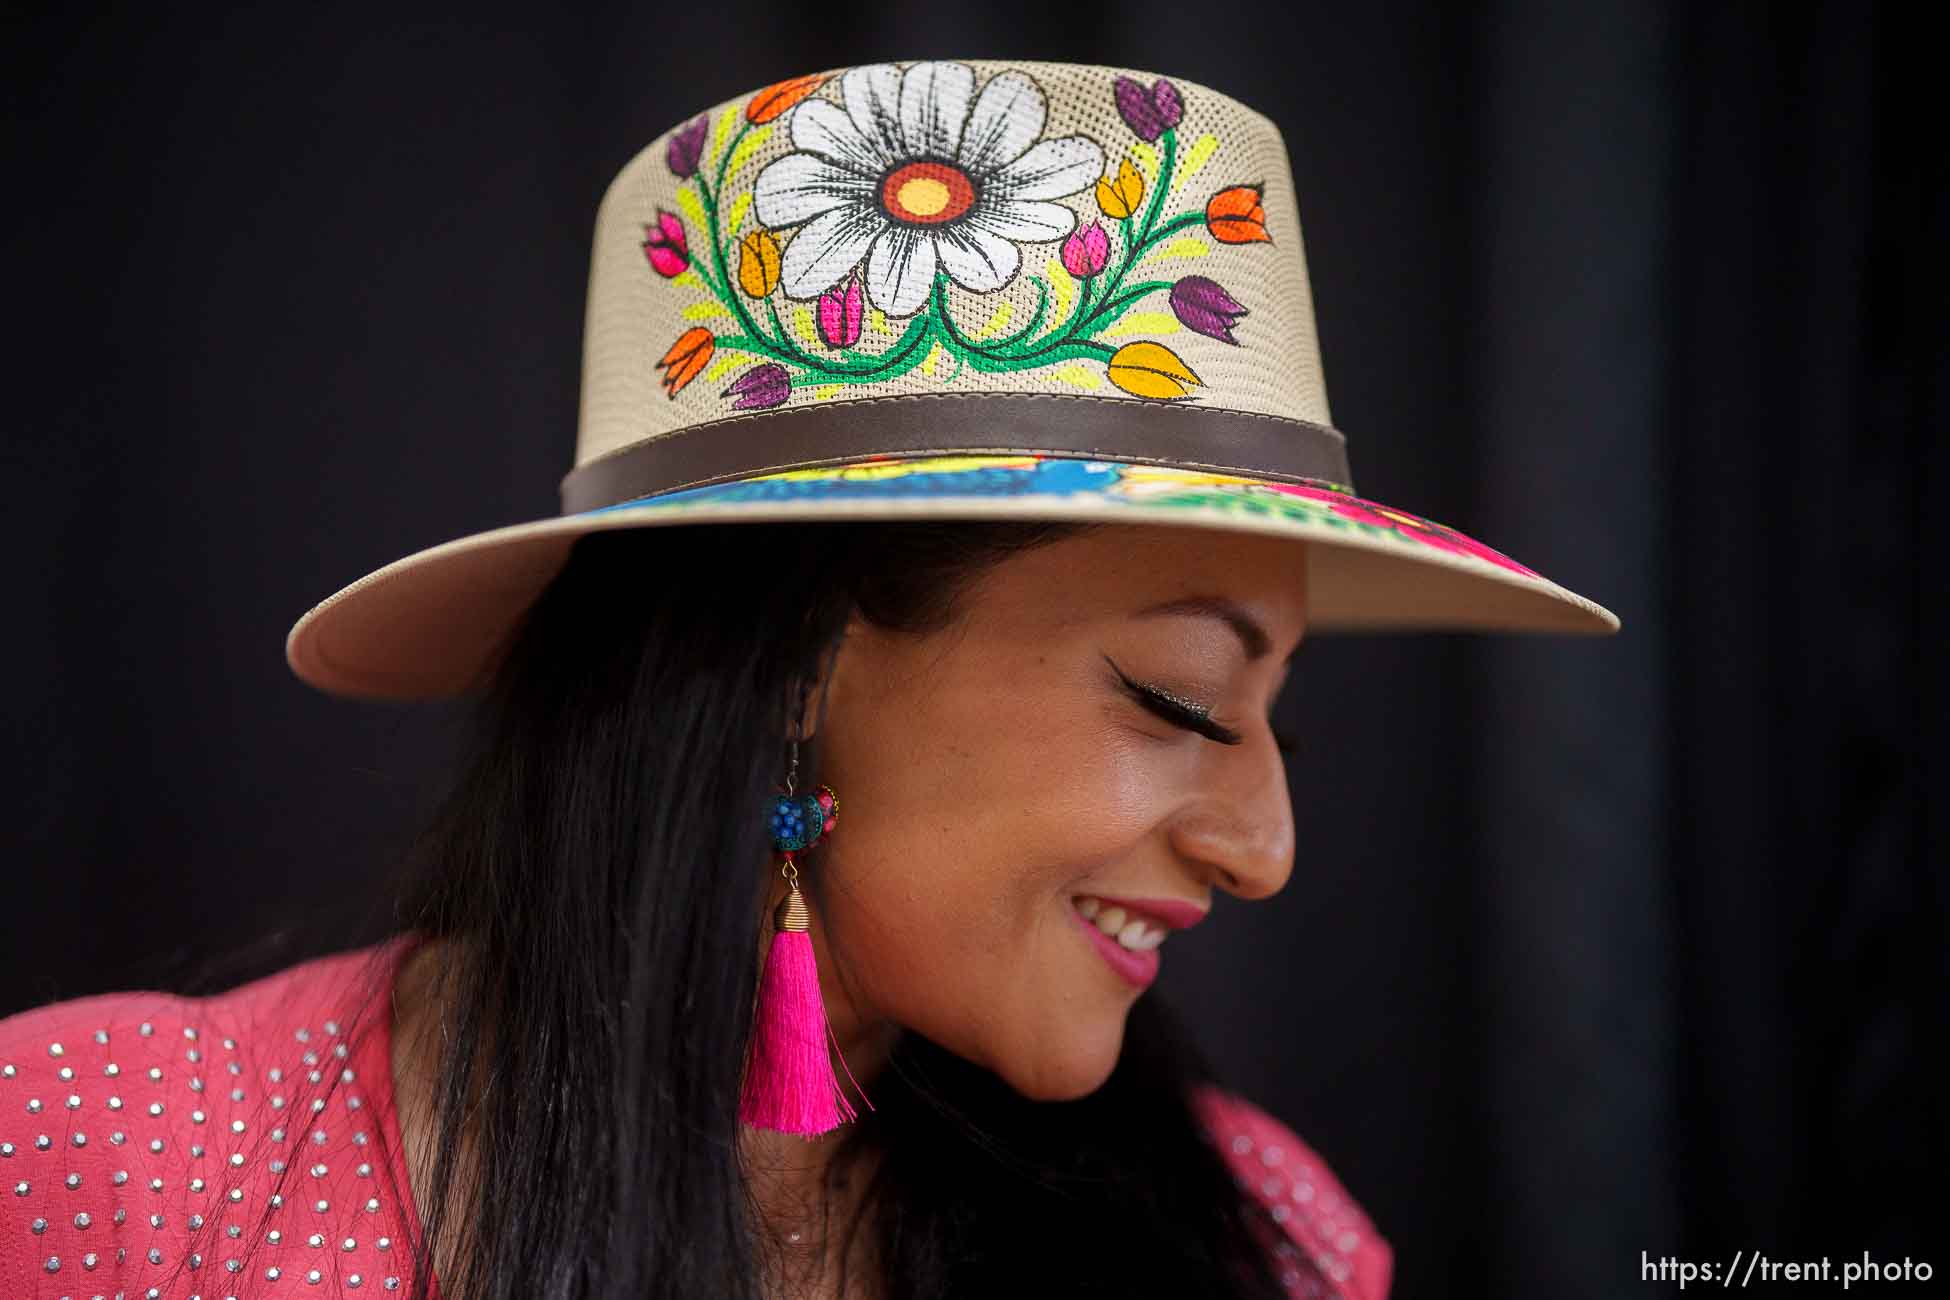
1196 438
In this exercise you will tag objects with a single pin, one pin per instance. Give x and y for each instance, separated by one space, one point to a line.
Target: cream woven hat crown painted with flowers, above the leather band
958 227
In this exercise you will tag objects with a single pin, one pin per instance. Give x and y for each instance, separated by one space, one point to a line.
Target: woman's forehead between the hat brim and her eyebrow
1116 572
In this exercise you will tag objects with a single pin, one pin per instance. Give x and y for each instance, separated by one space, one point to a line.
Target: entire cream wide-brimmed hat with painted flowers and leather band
962 289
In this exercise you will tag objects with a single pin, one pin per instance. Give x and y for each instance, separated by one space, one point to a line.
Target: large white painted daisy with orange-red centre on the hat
919 174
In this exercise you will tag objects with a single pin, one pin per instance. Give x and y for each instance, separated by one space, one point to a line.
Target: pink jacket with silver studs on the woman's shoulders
134 1159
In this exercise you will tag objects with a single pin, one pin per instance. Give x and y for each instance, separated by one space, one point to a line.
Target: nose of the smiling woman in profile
1239 833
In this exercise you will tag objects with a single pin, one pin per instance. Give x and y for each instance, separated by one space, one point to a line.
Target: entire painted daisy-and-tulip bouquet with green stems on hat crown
906 182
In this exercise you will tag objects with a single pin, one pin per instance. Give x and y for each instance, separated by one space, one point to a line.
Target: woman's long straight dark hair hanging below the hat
590 864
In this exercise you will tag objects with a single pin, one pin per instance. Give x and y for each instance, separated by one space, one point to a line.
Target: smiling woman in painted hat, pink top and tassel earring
894 681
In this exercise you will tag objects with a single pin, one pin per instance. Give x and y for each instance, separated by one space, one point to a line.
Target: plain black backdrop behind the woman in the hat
1592 948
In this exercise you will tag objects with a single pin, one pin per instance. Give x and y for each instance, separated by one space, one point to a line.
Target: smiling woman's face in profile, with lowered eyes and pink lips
1003 747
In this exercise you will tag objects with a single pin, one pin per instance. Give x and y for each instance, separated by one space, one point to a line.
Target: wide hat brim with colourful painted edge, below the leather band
436 623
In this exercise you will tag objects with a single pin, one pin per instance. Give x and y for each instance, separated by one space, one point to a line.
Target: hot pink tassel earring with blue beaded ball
789 1081
